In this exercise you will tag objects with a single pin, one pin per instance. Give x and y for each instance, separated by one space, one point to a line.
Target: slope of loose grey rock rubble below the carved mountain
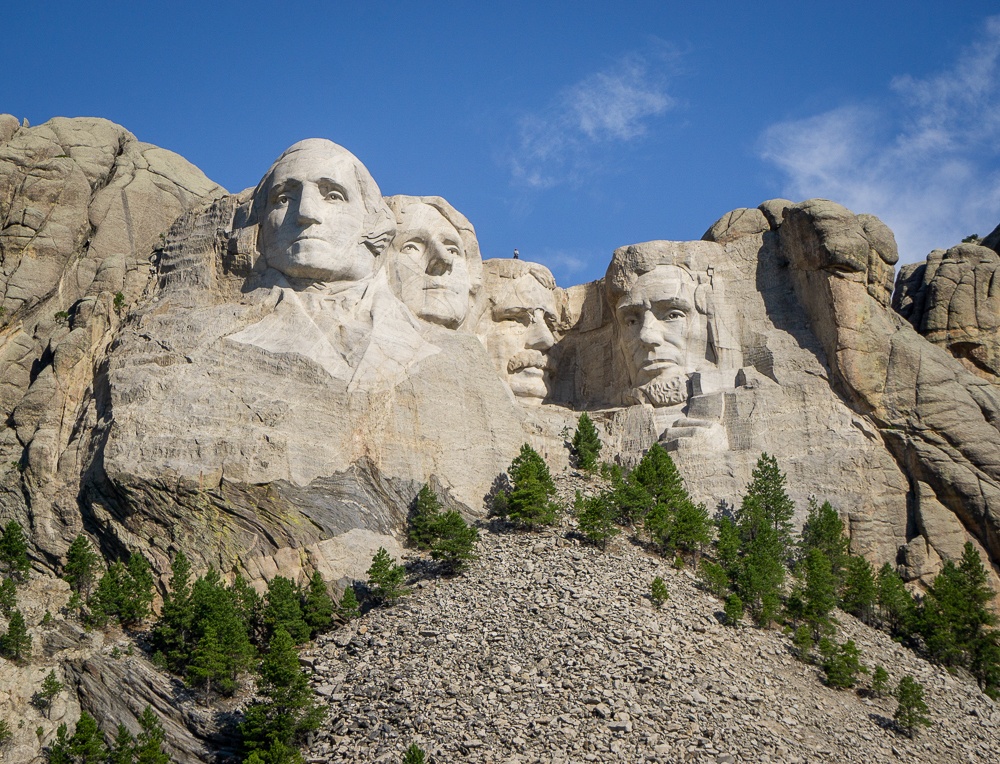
549 650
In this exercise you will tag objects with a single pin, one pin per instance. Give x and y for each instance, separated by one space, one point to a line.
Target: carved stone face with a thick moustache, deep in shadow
521 334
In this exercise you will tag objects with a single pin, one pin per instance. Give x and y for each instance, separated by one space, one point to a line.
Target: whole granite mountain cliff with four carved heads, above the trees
266 379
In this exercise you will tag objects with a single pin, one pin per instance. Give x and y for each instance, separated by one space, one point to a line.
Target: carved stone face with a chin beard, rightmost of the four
657 320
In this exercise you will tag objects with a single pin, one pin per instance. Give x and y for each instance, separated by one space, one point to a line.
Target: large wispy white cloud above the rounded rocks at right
926 158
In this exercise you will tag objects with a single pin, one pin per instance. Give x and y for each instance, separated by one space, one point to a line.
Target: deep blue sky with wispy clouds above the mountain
564 129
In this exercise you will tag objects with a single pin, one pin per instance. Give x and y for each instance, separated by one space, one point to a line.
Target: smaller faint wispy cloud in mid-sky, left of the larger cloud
561 143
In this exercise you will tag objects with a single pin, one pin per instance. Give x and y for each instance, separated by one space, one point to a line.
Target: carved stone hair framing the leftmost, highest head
379 224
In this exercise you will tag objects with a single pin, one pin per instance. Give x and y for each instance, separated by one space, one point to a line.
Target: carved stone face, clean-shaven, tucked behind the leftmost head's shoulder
430 267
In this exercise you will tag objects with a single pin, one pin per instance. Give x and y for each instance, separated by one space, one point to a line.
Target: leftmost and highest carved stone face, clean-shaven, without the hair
313 219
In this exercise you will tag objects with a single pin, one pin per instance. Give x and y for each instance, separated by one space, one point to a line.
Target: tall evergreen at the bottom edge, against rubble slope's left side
285 709
